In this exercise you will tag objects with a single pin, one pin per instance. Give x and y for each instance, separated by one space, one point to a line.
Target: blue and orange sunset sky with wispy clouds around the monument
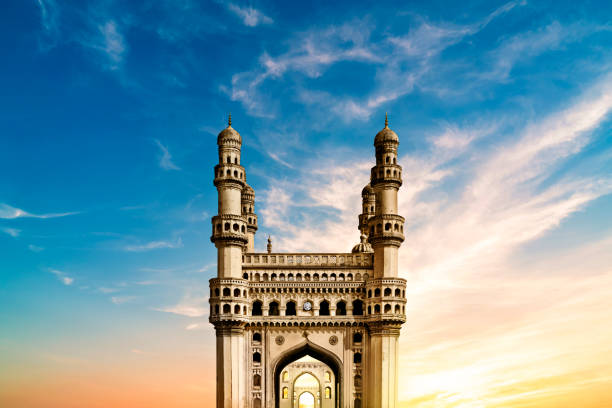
109 112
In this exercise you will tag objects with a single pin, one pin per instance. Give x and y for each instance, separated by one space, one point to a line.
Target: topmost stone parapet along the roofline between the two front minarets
296 260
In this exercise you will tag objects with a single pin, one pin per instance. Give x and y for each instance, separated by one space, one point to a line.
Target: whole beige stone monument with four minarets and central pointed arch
307 330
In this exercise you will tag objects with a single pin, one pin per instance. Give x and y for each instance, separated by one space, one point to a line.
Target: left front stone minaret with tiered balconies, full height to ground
227 303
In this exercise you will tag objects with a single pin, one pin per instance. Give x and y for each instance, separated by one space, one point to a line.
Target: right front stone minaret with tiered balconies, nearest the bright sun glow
386 234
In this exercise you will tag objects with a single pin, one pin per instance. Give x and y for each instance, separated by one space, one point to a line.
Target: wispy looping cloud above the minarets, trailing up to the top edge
401 61
